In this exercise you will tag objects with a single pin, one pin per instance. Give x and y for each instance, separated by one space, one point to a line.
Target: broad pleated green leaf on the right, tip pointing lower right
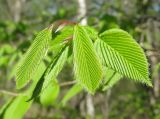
120 52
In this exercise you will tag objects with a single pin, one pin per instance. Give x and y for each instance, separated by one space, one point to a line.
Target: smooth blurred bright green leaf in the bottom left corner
18 108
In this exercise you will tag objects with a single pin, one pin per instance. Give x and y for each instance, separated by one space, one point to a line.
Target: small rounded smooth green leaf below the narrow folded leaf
50 94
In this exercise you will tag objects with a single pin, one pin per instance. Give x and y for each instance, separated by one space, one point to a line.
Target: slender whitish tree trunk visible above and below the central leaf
82 10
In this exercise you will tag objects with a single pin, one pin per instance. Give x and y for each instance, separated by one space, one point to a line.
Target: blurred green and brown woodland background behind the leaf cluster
20 20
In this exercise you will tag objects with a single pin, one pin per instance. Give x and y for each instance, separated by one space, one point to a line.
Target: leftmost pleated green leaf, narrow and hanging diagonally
33 57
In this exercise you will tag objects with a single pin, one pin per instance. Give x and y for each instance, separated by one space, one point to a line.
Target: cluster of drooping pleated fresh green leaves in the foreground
116 50
